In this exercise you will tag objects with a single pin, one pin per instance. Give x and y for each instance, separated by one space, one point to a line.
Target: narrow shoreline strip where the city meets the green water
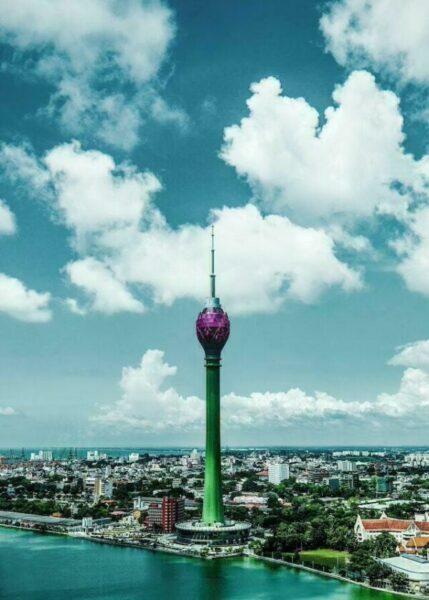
247 554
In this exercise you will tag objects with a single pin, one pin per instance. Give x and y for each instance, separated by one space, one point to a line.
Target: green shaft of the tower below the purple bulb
213 505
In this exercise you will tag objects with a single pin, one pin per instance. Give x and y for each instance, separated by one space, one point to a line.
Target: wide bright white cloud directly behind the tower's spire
282 261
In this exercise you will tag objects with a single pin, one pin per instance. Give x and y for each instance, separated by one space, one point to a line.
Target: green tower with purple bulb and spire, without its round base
213 331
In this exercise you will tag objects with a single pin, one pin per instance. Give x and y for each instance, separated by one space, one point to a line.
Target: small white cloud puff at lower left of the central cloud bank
108 294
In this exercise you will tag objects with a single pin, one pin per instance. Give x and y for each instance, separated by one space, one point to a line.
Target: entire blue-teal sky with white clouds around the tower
299 130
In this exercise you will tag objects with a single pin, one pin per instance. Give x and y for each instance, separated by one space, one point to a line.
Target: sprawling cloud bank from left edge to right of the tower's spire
128 255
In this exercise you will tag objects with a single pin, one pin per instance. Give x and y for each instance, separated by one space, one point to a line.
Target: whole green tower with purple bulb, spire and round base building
212 329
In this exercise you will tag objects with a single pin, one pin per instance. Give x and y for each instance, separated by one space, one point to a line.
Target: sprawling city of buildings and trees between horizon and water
140 497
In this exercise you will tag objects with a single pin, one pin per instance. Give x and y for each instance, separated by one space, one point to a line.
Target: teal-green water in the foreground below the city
42 567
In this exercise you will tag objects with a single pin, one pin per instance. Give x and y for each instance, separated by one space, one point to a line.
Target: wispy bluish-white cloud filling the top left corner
102 59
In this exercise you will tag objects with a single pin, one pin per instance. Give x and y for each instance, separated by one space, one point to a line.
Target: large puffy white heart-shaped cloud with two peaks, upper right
350 166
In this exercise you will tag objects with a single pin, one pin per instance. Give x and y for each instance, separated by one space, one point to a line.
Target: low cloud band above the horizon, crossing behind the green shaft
148 404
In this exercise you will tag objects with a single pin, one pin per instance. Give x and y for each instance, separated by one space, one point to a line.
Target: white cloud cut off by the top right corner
387 35
